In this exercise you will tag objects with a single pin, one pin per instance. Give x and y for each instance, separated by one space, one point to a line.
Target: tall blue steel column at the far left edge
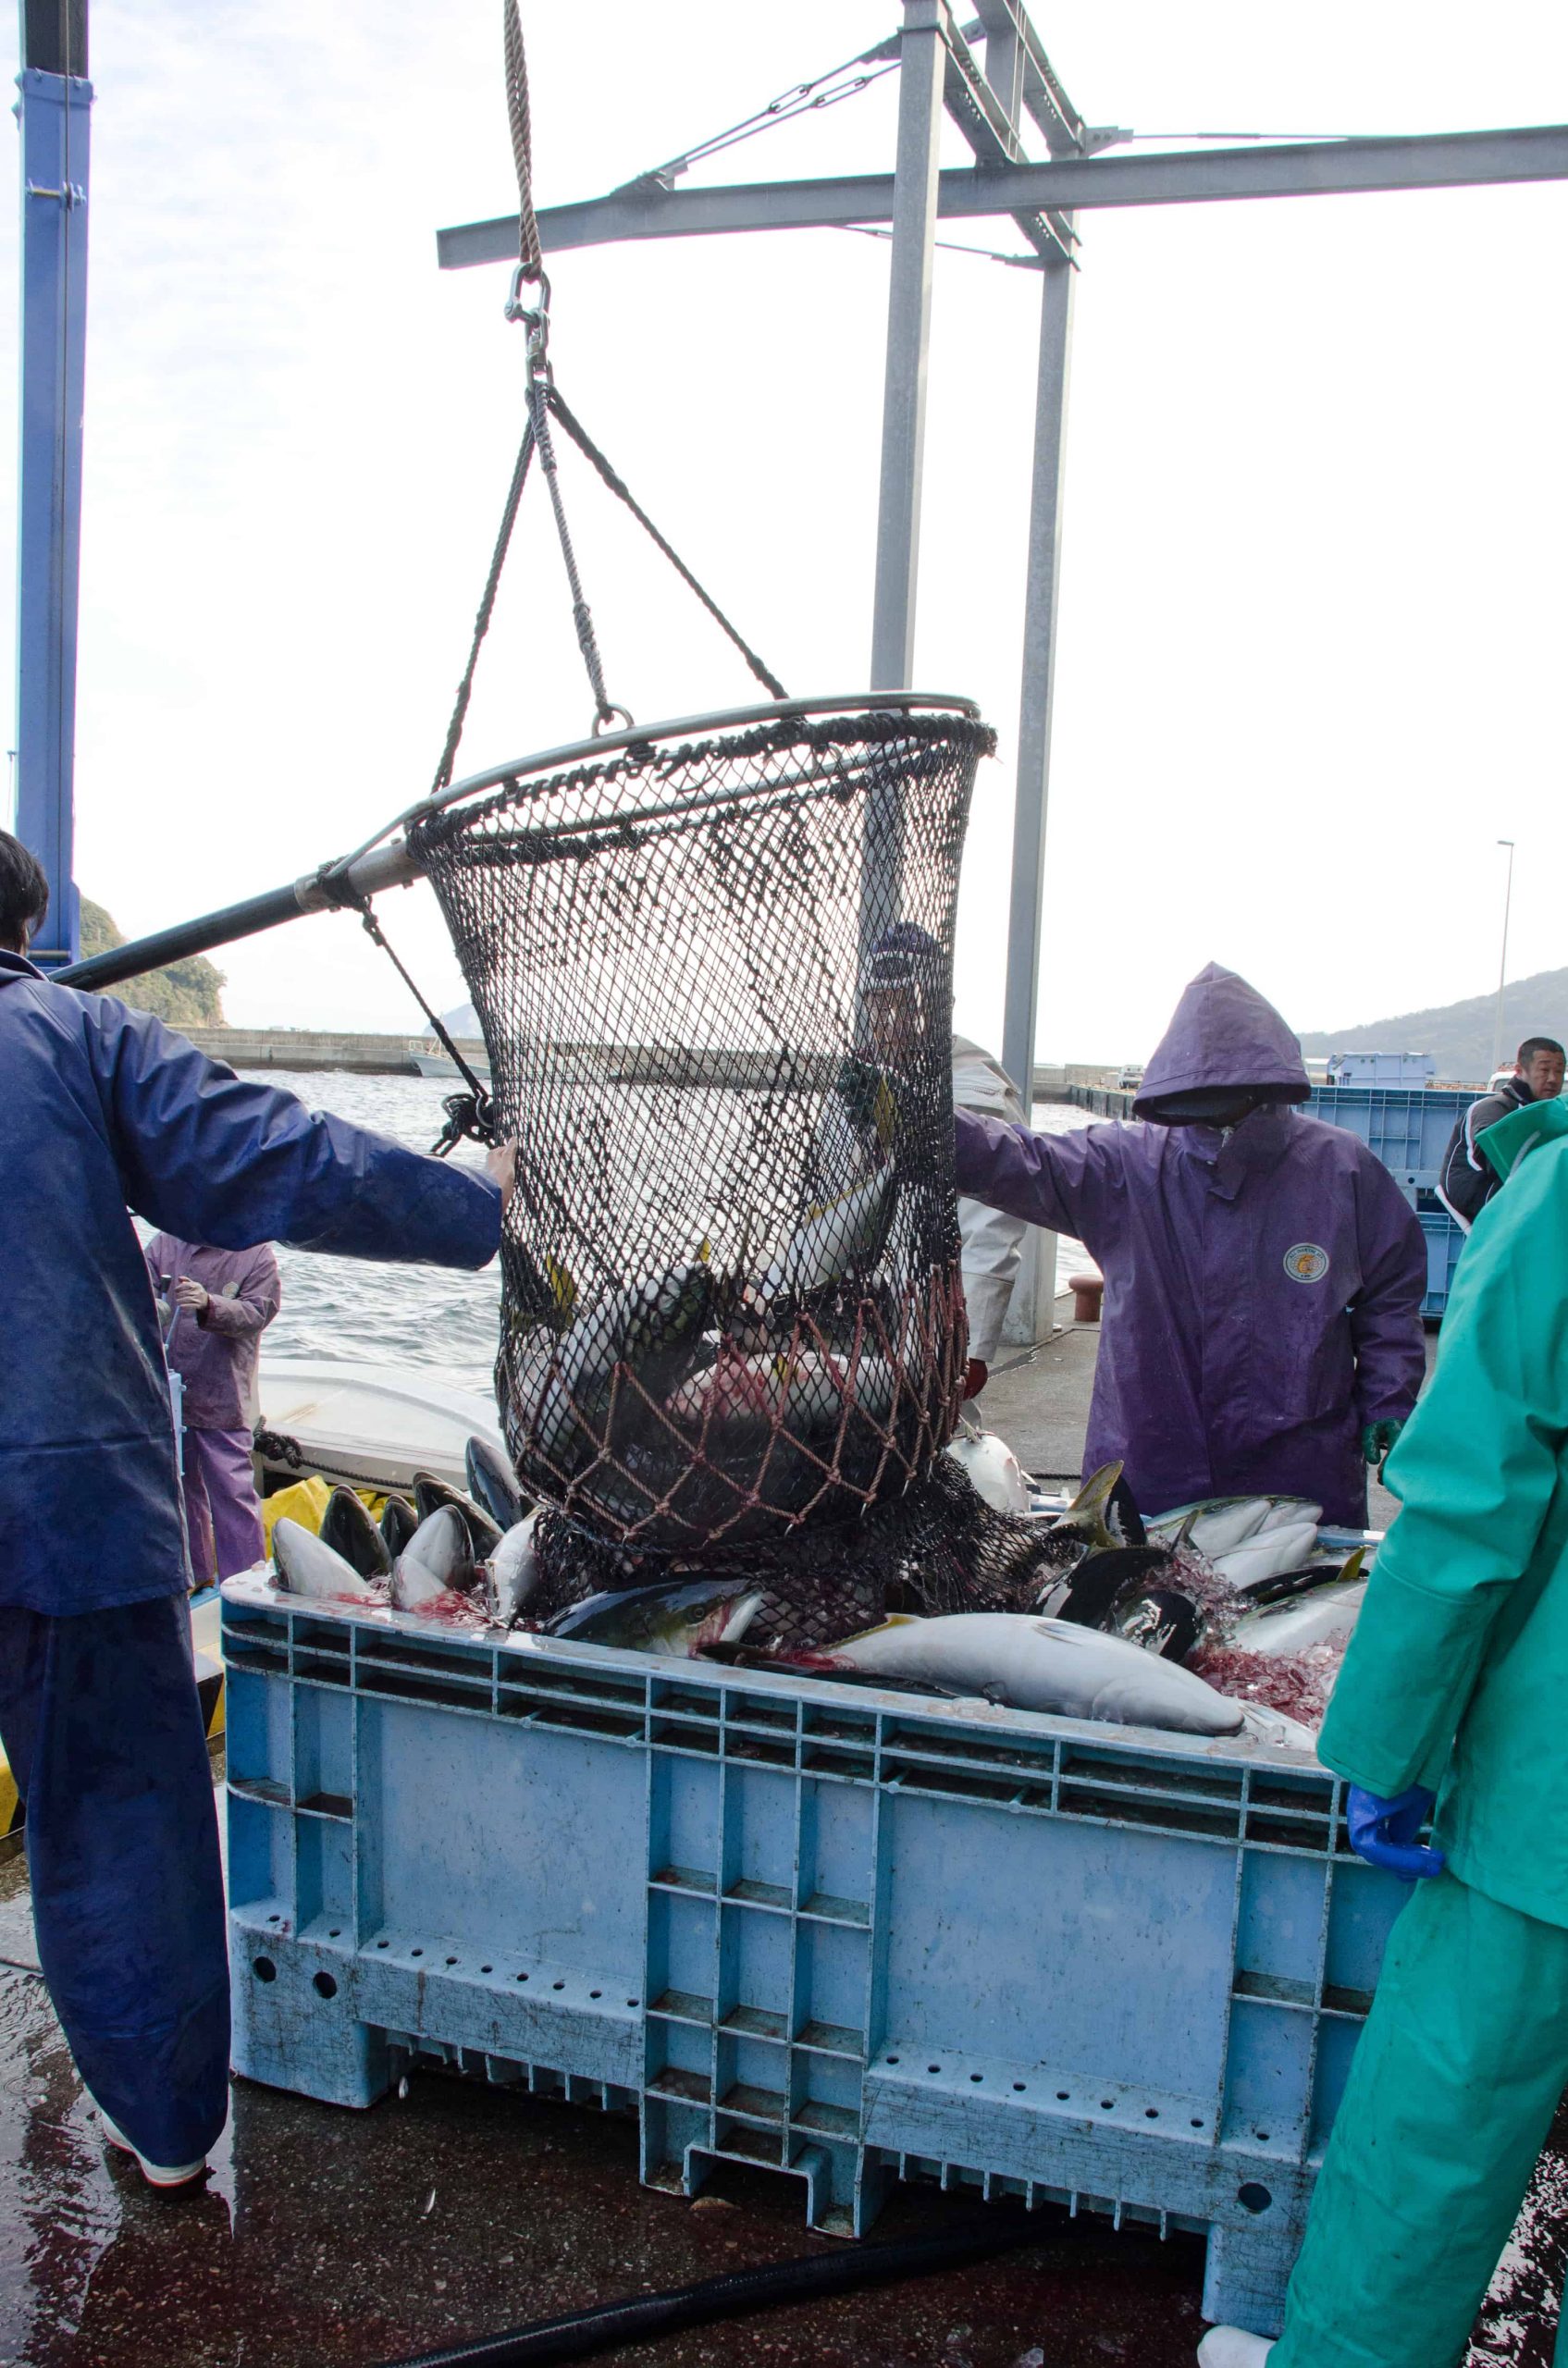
49 541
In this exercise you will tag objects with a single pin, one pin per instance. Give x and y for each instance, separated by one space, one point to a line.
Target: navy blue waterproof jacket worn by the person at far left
103 1107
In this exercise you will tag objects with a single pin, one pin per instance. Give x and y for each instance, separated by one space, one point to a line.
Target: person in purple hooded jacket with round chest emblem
1264 1270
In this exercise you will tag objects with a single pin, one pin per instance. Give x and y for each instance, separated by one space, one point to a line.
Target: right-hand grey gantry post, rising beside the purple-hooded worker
1036 1289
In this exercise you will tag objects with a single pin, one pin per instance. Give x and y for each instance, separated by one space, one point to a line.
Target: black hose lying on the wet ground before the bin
645 2317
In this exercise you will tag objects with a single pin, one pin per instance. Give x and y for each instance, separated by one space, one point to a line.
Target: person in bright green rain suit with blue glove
1455 1685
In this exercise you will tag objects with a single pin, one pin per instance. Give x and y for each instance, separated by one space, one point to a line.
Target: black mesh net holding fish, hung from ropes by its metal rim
714 967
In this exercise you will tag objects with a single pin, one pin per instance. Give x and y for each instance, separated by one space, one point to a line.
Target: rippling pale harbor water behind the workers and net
423 1318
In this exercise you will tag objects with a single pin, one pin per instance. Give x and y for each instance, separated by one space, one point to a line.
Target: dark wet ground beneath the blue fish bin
335 2239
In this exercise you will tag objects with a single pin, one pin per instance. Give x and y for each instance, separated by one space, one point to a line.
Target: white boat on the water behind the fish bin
371 1424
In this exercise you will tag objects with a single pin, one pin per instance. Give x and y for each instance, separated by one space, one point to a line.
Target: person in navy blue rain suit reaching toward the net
103 1109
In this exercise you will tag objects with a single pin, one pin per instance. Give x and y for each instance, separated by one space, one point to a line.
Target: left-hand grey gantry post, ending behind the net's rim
904 408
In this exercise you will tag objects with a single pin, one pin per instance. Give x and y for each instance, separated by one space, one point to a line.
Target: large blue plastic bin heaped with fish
849 1936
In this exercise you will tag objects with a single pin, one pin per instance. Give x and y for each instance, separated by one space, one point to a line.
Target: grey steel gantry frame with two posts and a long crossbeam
989 91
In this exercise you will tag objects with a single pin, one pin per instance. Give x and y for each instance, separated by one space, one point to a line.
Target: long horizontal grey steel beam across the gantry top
1178 179
